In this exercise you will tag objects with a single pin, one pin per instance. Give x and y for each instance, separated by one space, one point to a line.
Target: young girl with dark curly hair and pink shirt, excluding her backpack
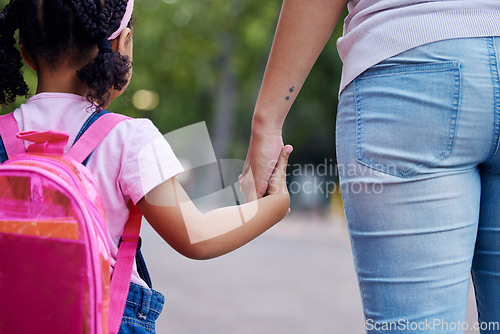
81 51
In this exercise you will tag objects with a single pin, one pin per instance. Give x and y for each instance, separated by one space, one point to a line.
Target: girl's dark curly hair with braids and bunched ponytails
53 29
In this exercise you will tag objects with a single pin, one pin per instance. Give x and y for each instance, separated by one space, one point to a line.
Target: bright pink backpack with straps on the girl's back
54 267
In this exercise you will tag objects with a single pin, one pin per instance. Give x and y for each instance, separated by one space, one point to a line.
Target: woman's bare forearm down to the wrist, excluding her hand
303 29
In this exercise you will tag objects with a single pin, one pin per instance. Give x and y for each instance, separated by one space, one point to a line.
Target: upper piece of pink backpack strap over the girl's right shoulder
96 132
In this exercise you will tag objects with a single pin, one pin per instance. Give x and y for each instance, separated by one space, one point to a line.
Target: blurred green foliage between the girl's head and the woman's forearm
179 46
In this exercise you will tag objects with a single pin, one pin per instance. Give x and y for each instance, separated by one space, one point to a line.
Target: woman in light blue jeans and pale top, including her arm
418 130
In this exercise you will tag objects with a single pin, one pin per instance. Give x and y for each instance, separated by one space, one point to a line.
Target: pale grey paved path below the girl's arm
297 278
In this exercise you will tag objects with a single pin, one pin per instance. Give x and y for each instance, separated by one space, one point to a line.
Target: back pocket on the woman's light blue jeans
406 116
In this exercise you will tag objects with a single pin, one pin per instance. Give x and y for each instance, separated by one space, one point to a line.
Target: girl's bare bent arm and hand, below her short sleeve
171 213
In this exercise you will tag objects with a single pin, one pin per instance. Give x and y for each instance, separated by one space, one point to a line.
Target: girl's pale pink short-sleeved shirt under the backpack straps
121 176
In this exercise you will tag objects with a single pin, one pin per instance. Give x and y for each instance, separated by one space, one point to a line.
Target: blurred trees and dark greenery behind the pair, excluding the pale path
203 60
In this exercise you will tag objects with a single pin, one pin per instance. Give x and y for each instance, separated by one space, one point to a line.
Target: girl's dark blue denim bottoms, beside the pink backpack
141 311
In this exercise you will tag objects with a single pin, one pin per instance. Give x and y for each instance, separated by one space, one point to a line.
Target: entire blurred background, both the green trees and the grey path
202 61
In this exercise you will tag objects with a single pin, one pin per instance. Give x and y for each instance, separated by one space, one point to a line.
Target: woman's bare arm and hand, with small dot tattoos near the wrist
303 29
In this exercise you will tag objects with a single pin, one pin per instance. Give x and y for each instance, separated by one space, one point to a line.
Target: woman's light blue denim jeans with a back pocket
419 167
